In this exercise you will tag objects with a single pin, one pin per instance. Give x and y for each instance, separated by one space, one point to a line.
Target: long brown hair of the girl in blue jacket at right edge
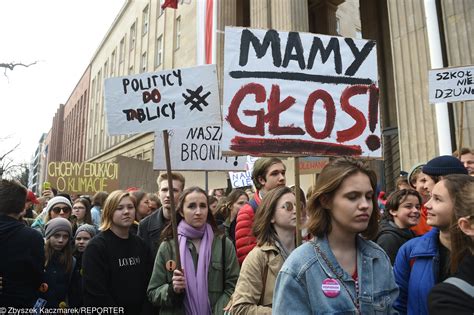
461 190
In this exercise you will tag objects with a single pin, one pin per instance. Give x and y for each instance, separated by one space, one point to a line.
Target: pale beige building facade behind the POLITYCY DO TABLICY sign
106 63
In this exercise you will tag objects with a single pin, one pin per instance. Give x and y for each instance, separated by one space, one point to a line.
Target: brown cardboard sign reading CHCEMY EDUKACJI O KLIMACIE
83 178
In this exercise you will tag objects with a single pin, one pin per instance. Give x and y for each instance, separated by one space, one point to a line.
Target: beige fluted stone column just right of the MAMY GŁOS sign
416 117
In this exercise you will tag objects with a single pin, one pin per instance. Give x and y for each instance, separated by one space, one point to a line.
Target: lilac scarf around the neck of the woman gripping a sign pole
196 300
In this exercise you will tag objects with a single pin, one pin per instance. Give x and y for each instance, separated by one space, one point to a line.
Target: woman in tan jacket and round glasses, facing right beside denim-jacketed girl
274 227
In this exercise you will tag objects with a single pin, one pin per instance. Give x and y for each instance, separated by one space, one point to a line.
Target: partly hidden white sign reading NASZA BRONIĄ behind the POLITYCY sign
197 148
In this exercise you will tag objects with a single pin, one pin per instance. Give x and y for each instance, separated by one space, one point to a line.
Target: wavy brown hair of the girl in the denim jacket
329 181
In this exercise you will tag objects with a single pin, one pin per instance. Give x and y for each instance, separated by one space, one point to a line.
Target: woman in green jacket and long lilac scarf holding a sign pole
209 262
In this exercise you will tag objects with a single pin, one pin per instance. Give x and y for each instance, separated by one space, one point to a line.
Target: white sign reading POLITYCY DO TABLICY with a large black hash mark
162 100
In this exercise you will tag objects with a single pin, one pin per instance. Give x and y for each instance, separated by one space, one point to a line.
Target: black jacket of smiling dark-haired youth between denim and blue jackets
391 238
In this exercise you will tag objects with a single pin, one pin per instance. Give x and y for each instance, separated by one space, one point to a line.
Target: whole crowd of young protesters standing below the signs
235 252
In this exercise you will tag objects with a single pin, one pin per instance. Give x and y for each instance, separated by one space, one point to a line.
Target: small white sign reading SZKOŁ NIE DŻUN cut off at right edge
451 84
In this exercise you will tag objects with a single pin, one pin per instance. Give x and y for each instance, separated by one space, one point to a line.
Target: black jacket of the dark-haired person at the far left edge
21 263
